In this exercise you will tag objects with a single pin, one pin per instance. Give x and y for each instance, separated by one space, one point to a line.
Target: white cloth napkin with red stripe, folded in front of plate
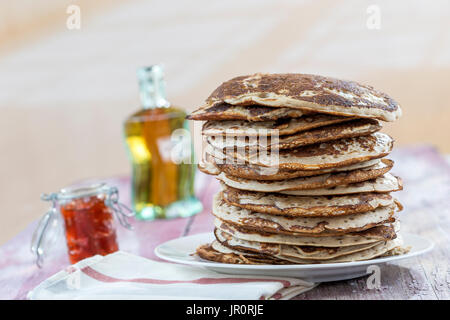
125 276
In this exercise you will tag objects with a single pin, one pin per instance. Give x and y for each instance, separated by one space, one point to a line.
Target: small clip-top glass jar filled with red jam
87 214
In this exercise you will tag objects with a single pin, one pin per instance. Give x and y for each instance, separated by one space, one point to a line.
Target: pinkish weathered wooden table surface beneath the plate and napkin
426 198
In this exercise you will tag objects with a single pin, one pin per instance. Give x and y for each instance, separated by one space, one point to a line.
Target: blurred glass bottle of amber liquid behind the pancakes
162 185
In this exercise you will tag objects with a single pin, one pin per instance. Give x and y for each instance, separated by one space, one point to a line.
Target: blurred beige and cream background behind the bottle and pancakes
65 91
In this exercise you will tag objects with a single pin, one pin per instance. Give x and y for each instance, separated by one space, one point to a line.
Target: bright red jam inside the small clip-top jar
89 227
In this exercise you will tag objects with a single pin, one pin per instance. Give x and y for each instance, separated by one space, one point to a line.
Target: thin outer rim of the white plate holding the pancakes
337 265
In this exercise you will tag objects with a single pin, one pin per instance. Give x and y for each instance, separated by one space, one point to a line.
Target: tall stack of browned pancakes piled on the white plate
301 163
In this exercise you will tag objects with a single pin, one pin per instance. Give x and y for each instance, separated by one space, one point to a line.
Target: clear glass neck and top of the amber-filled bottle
152 87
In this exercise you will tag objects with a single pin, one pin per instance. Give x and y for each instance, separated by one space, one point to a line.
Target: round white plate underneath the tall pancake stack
180 250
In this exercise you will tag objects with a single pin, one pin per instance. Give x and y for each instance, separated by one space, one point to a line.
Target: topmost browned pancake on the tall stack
307 92
